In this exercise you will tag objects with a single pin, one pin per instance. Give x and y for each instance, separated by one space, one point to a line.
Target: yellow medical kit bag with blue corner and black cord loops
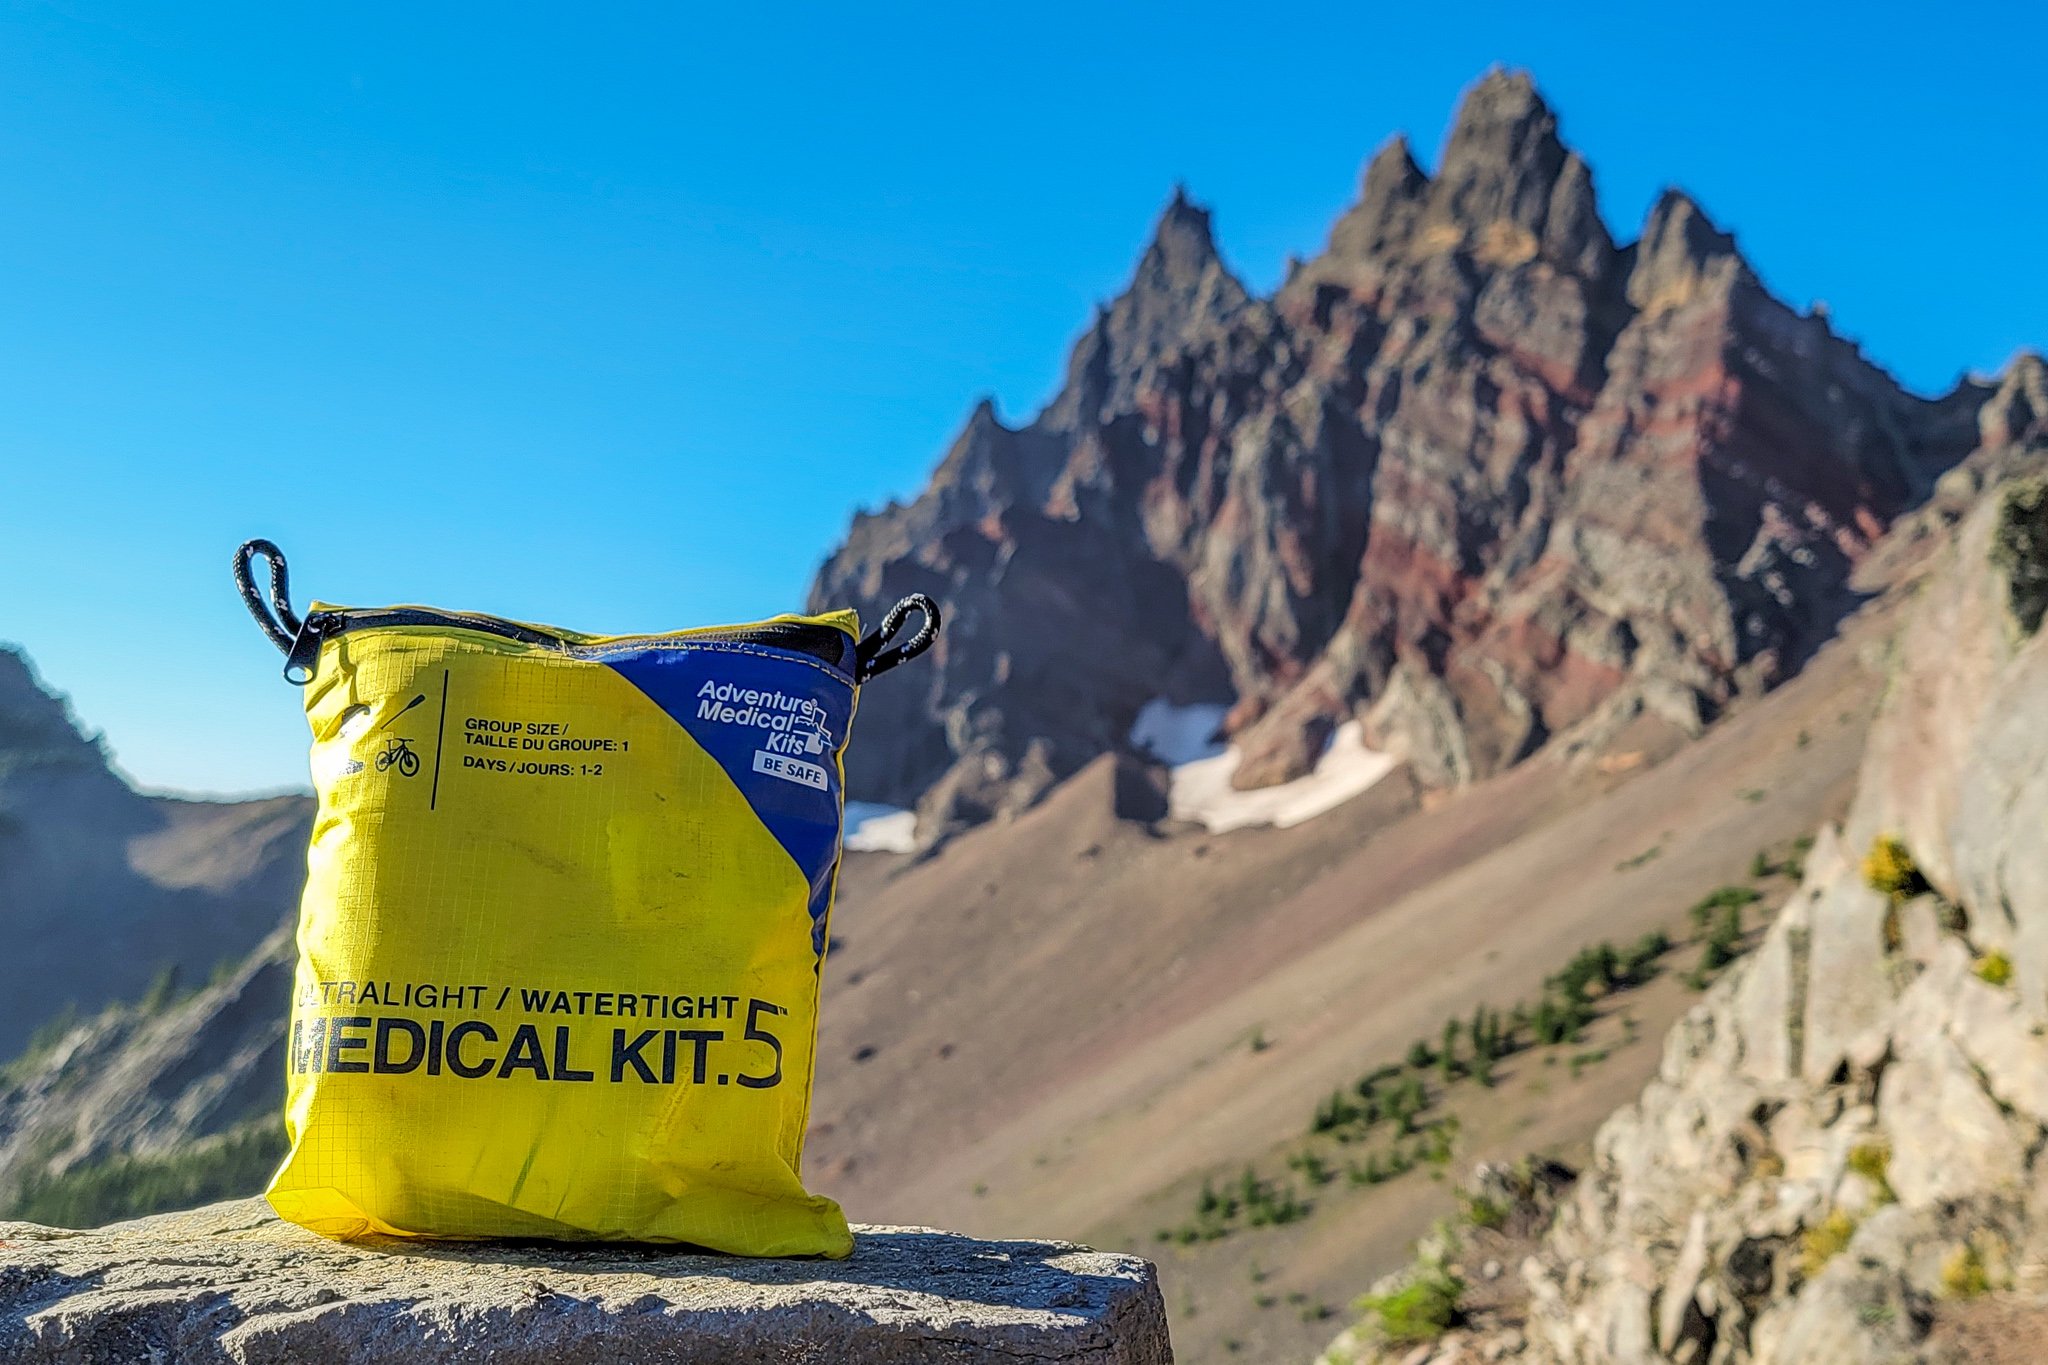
566 912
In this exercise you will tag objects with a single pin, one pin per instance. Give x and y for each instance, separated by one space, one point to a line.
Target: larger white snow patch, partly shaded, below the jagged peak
1199 785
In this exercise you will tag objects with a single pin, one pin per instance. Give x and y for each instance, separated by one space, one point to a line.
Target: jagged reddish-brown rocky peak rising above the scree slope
1476 474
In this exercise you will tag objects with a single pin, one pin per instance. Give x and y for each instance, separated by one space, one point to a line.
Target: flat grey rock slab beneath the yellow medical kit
234 1284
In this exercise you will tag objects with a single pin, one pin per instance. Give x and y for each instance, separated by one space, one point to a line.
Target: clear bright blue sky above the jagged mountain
611 316
